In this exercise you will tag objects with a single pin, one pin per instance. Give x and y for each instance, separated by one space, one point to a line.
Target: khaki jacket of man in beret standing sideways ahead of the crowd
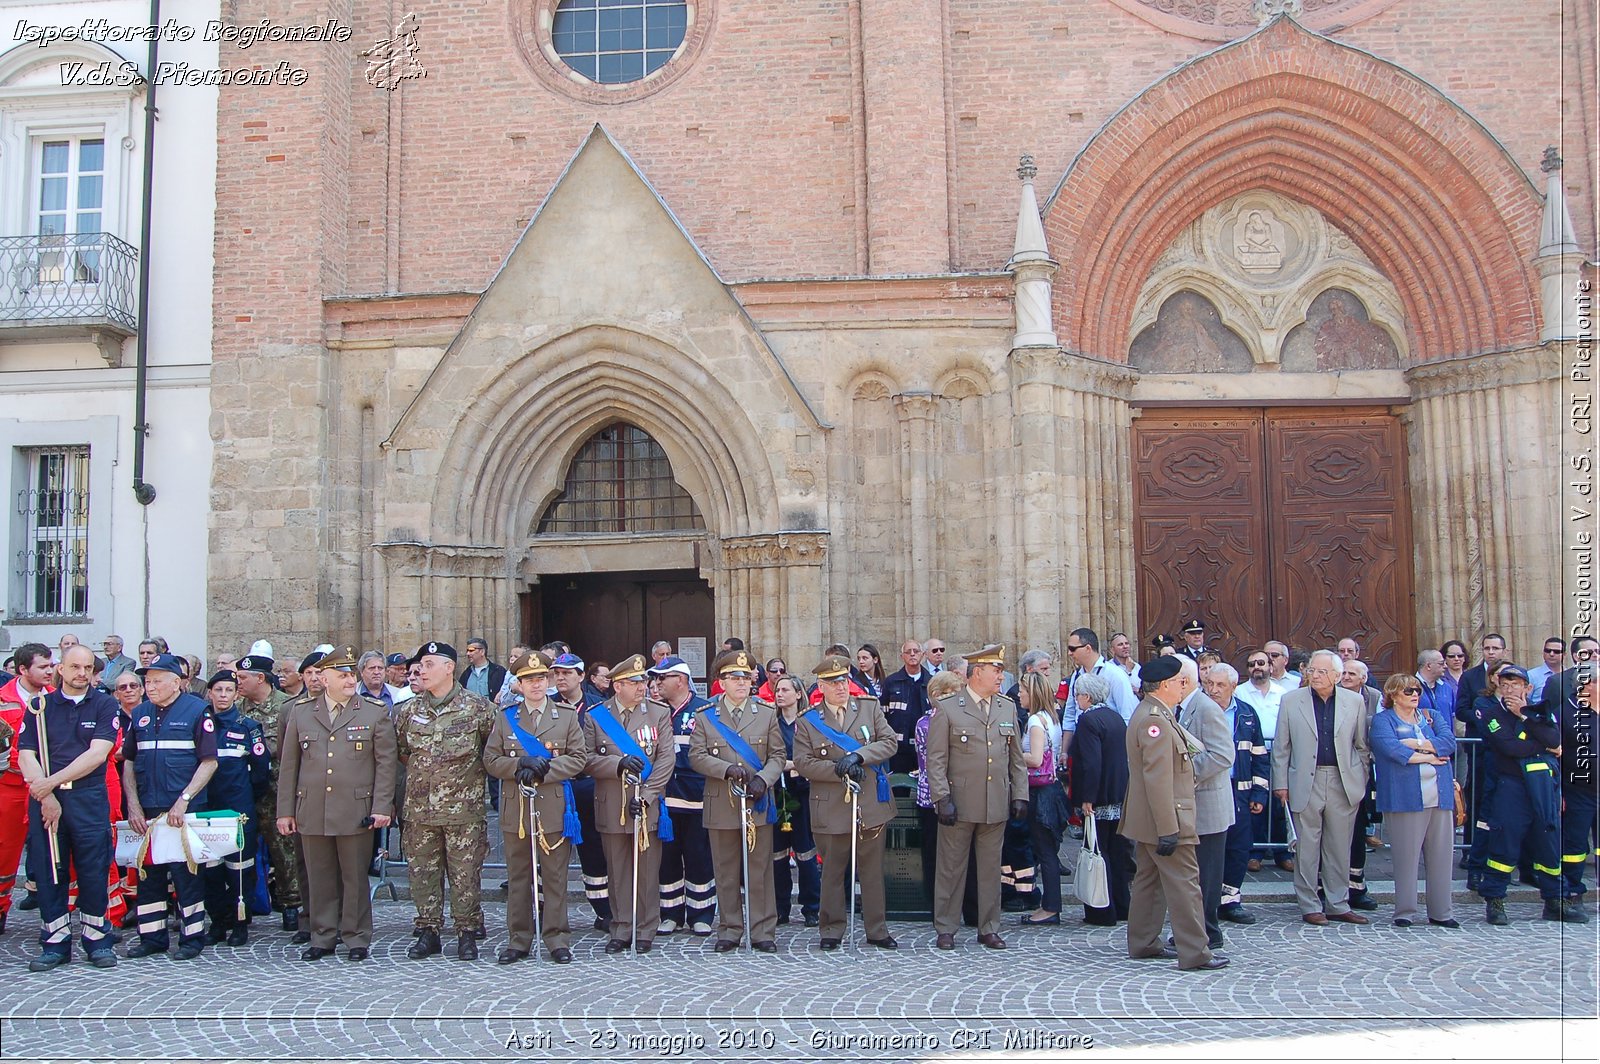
1161 778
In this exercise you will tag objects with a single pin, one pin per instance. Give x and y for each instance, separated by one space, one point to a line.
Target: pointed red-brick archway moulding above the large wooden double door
1433 201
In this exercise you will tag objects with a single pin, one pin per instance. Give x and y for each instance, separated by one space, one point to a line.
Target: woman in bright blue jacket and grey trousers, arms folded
1417 798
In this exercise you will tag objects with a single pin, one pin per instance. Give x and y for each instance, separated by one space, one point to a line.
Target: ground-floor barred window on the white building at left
55 511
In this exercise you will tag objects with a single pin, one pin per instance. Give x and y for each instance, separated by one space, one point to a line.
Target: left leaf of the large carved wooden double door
1201 526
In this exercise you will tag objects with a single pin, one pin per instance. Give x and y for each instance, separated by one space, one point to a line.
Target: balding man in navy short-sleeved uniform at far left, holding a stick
68 798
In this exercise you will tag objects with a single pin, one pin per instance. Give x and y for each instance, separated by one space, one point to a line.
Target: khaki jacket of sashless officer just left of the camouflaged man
337 775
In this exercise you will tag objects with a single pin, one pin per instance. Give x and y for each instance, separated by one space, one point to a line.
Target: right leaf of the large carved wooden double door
1342 534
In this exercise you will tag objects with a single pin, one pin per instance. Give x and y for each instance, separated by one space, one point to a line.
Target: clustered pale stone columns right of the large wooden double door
1487 497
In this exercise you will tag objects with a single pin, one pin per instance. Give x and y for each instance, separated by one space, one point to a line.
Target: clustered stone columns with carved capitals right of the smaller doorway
770 588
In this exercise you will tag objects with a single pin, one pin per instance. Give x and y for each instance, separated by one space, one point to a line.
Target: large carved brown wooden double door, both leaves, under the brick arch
1276 524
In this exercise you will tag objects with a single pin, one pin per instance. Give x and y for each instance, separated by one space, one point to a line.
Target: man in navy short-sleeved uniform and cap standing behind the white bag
167 762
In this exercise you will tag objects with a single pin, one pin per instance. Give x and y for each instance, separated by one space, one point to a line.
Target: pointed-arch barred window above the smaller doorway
622 482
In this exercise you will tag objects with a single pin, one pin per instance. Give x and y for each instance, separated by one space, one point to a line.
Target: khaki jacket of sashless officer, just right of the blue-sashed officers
974 761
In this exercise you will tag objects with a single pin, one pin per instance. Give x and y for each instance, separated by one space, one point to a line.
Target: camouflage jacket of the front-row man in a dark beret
442 748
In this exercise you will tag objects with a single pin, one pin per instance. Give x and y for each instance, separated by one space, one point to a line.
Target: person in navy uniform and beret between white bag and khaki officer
244 772
